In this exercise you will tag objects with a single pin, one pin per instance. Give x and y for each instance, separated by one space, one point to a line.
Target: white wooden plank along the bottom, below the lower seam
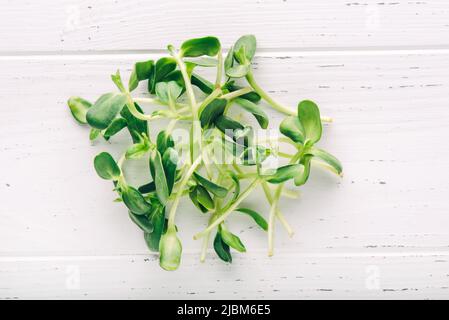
286 276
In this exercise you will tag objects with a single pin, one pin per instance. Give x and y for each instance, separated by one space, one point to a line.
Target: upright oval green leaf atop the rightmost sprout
309 116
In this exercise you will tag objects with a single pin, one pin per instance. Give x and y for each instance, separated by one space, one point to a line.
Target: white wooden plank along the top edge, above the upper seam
56 26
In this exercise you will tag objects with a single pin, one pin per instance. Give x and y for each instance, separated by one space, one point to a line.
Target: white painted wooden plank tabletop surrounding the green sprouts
380 69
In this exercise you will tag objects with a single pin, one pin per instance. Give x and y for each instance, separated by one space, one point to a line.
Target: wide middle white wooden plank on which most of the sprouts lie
390 133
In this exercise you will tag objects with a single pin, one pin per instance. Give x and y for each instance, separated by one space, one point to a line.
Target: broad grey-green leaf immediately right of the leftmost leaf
105 109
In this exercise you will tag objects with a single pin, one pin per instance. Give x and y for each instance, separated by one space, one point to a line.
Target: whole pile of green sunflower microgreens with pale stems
221 162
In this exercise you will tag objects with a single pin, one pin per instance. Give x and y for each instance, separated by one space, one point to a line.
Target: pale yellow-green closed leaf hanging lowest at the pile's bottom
170 249
